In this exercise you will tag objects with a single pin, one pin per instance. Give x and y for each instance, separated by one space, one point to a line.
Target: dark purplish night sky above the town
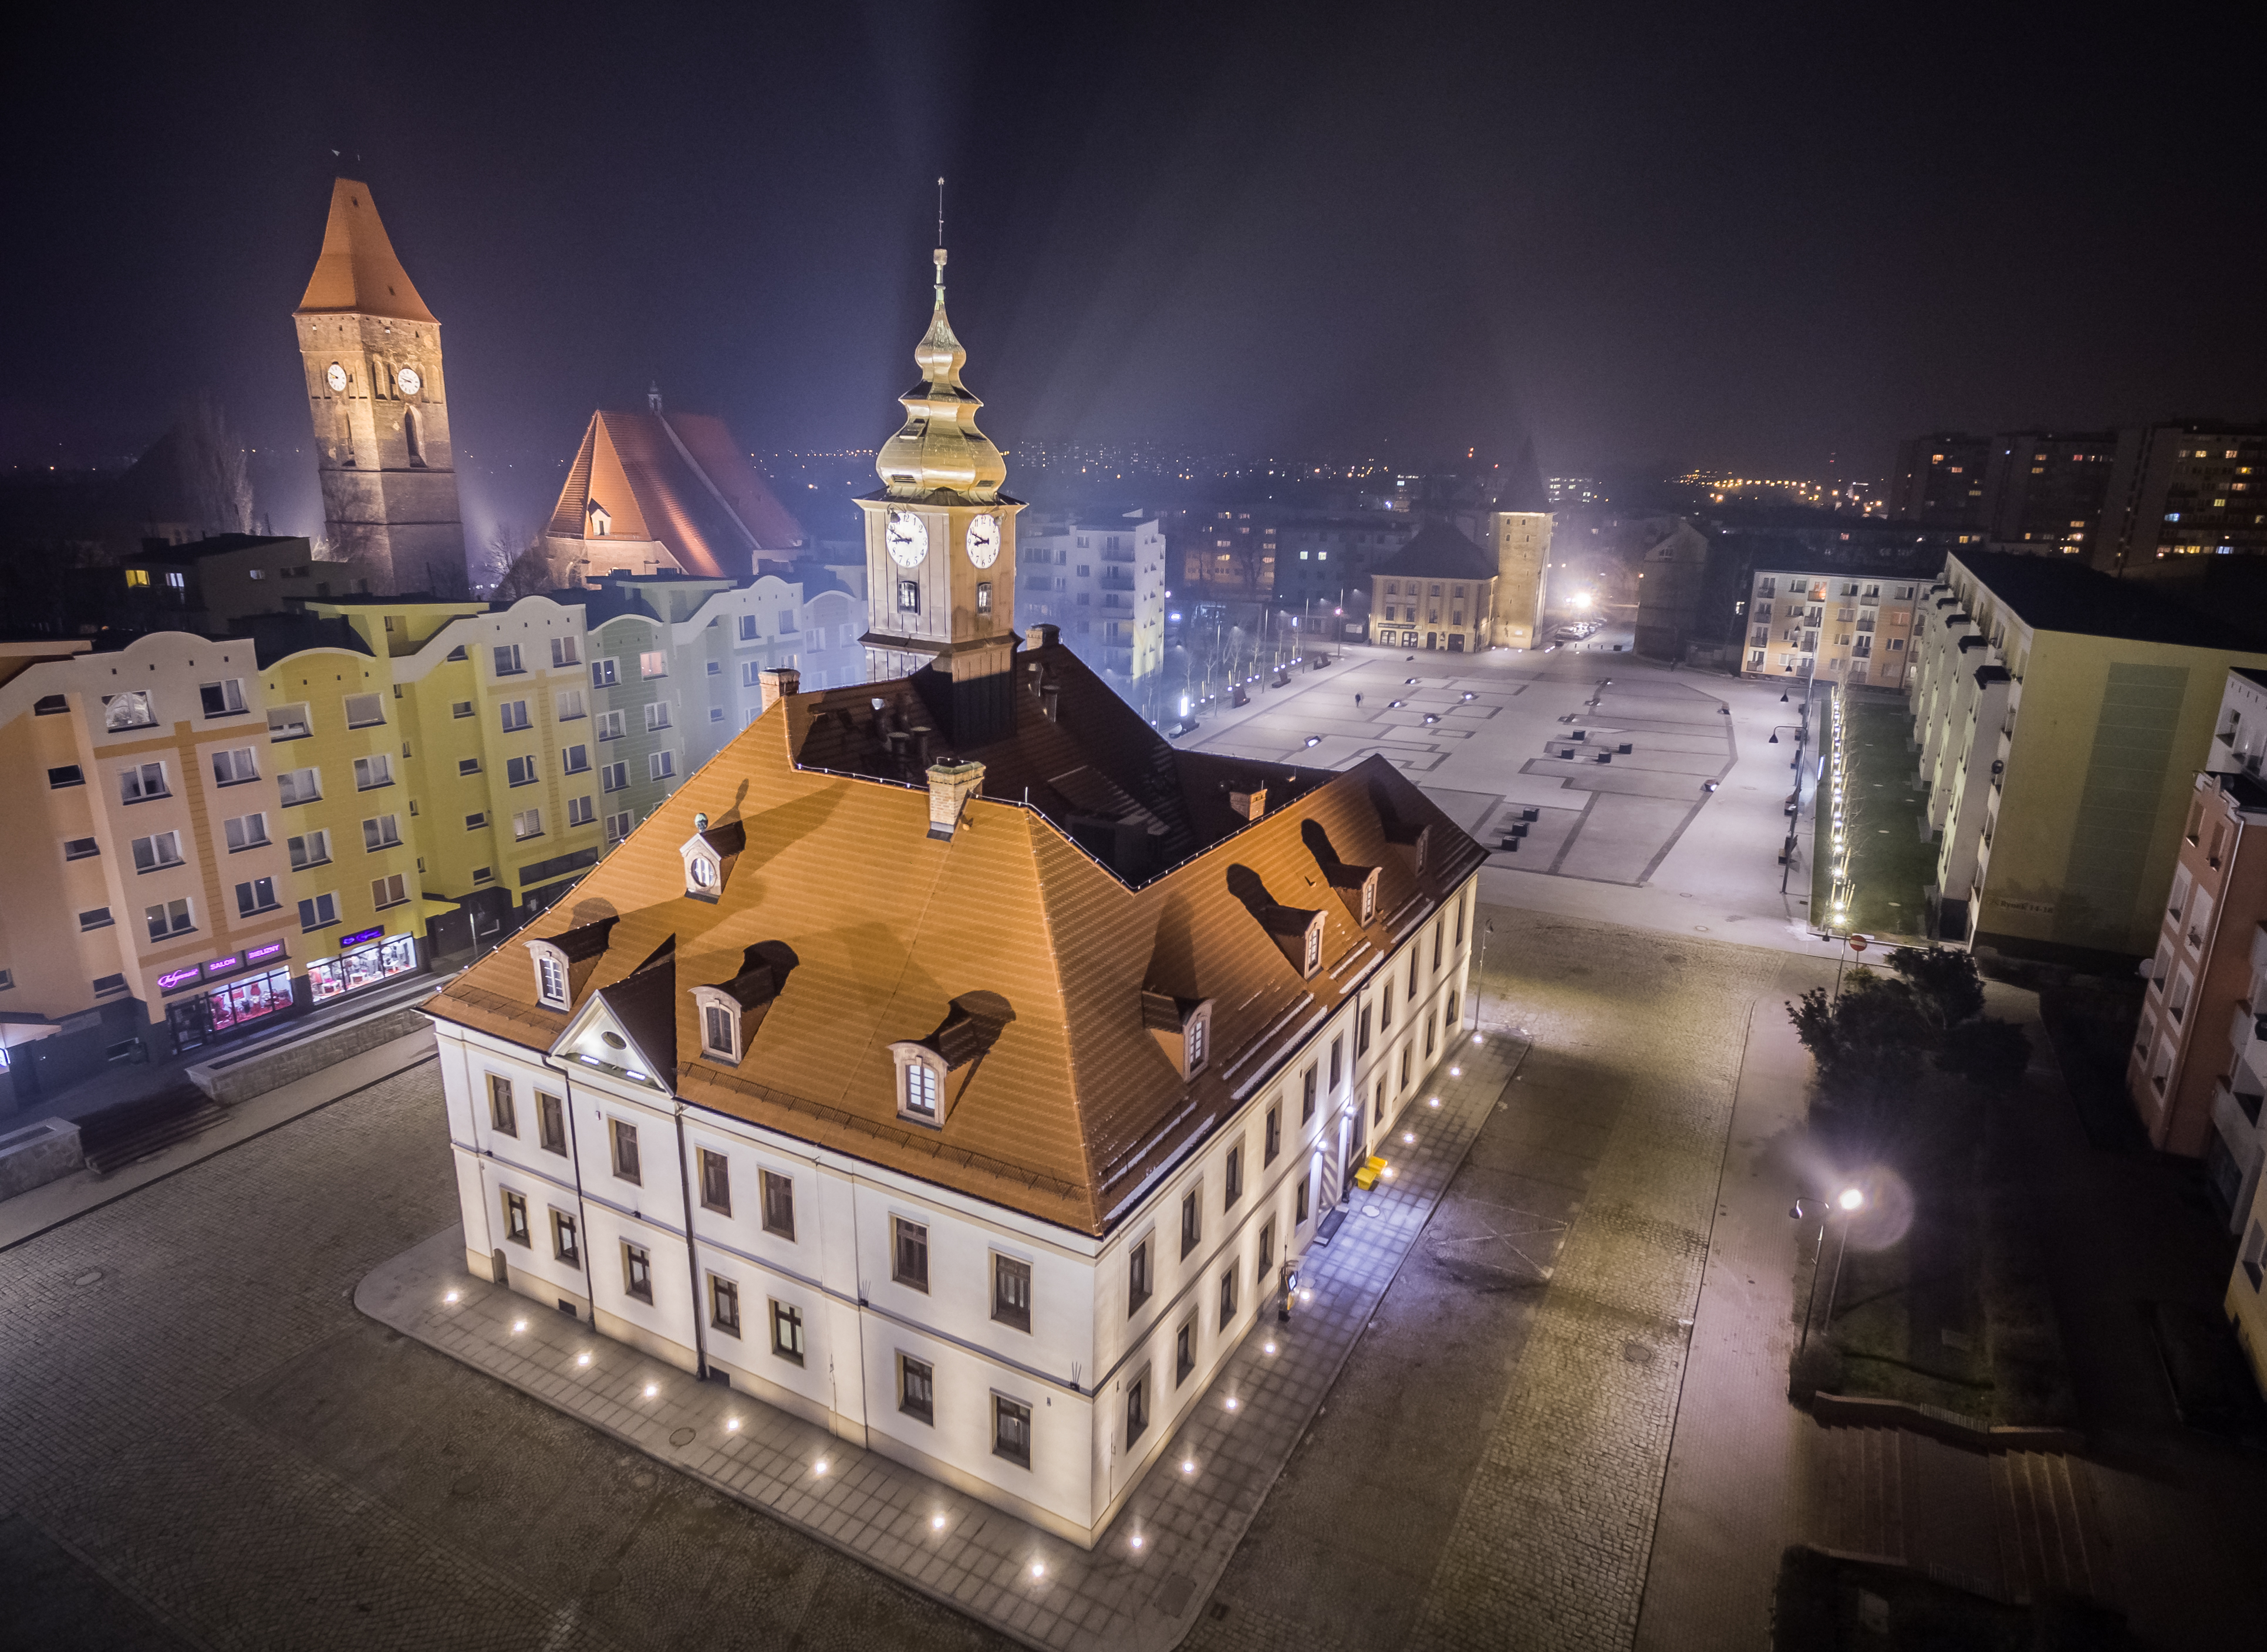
1652 239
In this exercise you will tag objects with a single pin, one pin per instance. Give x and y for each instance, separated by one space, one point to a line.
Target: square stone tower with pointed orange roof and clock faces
380 400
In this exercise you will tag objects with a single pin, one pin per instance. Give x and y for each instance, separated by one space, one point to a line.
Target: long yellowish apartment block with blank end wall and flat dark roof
2060 717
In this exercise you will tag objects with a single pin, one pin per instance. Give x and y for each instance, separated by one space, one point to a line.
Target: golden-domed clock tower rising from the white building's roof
942 550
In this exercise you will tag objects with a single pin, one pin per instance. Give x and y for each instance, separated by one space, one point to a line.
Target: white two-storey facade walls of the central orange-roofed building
1096 1352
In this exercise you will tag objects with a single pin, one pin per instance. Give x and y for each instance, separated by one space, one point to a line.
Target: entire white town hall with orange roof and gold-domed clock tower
951 1062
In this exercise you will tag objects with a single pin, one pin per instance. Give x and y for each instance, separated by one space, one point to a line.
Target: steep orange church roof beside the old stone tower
677 479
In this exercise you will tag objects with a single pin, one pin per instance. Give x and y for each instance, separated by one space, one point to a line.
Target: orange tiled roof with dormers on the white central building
1073 1109
